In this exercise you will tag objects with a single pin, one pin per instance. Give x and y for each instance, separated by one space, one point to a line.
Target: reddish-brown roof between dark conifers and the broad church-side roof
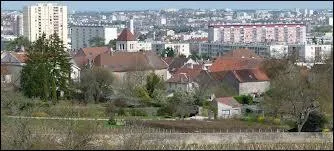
85 55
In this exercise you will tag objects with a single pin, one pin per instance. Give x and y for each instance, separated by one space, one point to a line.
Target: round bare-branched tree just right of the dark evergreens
99 85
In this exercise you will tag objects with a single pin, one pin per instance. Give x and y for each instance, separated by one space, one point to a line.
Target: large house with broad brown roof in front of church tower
125 64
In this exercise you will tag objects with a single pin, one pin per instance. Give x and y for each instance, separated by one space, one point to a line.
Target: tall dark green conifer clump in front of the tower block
47 69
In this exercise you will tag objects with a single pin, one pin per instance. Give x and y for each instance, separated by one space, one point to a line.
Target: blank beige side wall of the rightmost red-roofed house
253 87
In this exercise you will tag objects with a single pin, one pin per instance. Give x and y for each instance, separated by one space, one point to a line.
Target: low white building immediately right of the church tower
180 48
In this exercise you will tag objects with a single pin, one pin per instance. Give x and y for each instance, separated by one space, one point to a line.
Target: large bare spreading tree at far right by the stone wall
294 92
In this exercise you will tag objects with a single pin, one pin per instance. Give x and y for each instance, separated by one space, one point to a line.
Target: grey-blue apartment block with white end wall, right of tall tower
80 35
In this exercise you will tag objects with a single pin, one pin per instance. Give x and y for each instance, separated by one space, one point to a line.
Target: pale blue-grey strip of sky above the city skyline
144 5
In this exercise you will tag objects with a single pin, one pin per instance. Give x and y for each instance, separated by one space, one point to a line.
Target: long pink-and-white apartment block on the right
258 33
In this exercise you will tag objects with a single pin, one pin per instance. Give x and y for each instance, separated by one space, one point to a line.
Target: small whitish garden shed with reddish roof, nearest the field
227 107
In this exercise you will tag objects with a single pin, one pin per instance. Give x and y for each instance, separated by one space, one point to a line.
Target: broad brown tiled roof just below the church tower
130 61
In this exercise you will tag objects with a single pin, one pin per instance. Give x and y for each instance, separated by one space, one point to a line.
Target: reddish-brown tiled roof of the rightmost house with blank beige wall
250 75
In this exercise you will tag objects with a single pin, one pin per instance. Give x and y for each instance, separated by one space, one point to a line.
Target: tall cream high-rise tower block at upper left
48 18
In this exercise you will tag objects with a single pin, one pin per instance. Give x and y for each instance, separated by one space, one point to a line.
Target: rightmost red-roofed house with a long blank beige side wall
247 81
